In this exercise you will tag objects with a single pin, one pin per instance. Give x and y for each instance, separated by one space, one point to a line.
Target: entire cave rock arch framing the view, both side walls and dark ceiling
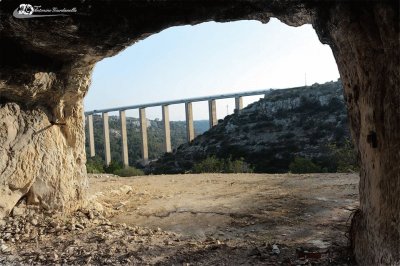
45 71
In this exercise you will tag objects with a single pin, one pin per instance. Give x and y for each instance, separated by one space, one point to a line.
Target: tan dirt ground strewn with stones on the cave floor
204 219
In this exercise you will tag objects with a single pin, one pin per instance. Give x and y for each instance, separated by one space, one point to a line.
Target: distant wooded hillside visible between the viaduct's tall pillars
155 137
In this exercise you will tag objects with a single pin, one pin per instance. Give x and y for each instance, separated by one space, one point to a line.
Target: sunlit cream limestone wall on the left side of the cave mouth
42 154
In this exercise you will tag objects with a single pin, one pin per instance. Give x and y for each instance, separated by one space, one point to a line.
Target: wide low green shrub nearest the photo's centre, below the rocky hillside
215 165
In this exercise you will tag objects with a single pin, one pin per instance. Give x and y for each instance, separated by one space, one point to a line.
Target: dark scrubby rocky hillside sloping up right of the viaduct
269 134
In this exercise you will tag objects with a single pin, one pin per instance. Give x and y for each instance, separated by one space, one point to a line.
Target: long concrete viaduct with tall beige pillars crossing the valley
212 109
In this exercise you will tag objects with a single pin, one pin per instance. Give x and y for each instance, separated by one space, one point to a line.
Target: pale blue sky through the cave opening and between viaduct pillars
209 59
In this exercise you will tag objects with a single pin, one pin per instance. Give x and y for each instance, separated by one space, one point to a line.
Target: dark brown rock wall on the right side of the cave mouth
365 42
